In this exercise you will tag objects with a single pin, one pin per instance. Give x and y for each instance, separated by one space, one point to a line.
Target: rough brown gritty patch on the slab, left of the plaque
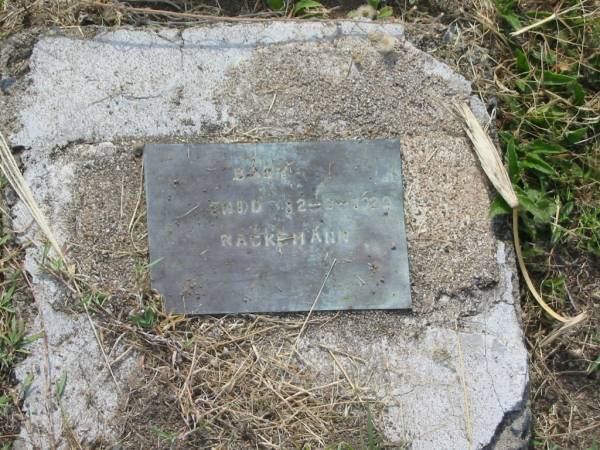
106 215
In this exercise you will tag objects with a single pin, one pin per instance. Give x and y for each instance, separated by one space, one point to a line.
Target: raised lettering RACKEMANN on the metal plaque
267 238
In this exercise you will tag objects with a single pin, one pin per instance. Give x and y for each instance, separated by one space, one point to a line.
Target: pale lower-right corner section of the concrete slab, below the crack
414 376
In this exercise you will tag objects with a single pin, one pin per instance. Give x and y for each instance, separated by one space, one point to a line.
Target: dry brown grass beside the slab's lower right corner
564 373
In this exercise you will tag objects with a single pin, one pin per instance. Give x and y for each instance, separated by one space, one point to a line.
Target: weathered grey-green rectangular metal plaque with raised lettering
272 227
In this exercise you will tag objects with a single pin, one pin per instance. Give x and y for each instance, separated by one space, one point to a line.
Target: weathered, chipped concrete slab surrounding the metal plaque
453 373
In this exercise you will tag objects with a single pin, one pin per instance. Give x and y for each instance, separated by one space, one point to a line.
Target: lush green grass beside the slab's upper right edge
550 122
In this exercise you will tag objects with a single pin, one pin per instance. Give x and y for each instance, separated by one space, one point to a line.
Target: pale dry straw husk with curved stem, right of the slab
494 168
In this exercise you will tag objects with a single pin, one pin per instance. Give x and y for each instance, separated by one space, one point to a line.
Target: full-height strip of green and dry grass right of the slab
549 111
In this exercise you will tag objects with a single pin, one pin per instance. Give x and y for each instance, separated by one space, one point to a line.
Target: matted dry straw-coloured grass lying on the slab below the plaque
238 383
